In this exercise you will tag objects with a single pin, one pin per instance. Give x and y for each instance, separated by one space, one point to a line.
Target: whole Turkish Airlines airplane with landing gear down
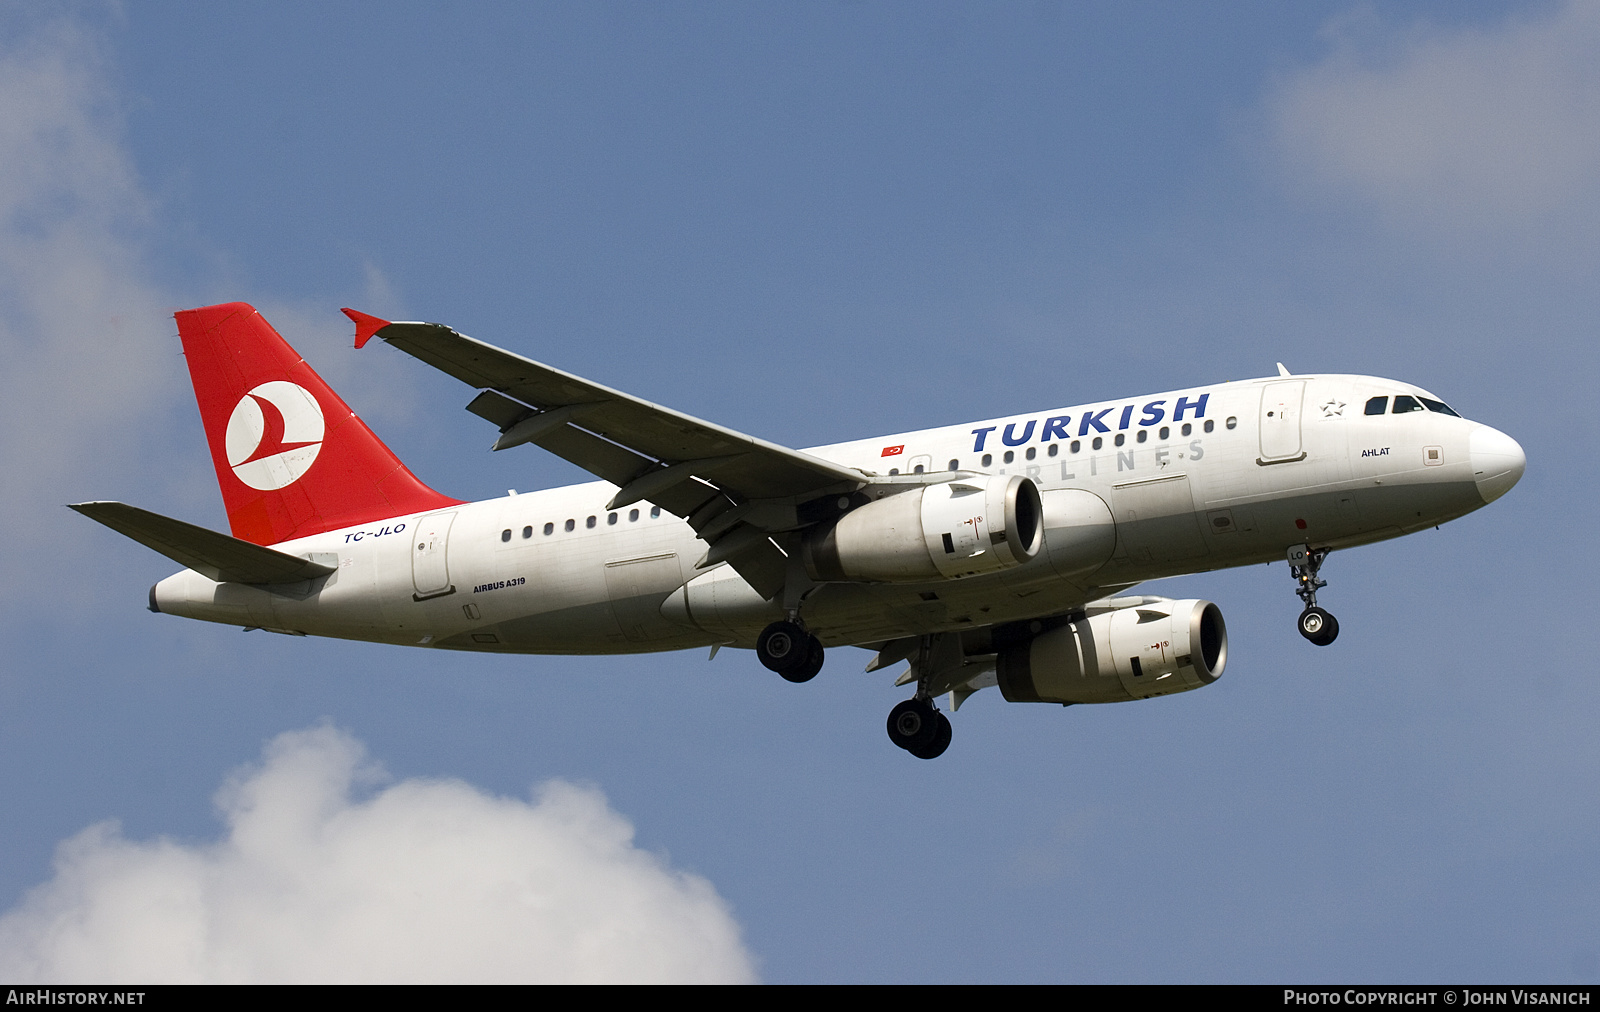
983 555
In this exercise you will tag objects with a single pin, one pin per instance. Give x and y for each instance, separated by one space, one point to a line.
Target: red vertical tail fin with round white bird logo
292 457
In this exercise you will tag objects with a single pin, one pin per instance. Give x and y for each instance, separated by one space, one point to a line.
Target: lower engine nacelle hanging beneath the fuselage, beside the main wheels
1130 654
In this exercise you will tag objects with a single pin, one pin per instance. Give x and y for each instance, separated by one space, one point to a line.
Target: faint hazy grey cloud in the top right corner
1468 127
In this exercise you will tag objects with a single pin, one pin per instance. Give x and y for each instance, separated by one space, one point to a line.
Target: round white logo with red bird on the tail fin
274 435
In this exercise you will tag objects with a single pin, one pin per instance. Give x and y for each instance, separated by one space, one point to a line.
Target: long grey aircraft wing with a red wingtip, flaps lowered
737 491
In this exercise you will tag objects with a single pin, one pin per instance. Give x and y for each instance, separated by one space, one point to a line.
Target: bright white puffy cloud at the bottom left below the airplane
425 881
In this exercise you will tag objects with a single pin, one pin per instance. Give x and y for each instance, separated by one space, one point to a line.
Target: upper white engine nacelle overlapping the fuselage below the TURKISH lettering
935 532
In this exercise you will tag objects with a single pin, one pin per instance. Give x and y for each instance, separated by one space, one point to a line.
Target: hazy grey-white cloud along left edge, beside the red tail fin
90 353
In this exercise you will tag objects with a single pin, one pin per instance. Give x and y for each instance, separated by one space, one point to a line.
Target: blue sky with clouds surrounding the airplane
817 223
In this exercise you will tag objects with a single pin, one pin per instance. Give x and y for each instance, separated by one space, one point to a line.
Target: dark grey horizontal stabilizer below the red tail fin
209 553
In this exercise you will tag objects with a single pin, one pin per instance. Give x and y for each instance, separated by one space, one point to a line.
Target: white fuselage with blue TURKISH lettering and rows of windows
1132 491
